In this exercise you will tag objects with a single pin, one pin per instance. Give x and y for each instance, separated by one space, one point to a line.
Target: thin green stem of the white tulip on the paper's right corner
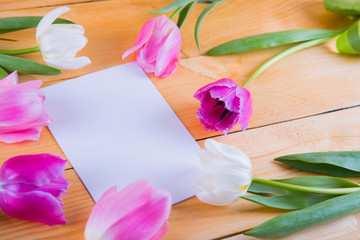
305 189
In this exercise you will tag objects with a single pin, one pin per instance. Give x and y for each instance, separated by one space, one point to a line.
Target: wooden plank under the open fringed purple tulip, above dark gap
308 83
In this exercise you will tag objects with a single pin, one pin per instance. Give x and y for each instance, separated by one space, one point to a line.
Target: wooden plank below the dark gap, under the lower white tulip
192 219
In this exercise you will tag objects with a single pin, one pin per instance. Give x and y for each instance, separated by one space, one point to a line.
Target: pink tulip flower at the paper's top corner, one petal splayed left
158 45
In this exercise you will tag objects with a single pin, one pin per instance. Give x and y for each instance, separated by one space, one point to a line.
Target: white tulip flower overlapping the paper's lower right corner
225 175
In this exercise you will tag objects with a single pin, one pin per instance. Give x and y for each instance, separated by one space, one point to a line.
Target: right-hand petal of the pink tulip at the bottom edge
145 221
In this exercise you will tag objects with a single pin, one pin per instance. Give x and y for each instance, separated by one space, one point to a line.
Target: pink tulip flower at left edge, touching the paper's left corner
22 110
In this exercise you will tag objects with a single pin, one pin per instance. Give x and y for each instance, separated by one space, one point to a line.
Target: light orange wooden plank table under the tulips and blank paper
308 102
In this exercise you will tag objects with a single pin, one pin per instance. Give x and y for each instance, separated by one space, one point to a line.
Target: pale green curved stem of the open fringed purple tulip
283 54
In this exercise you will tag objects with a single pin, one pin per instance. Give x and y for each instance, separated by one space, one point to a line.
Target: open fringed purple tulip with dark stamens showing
224 104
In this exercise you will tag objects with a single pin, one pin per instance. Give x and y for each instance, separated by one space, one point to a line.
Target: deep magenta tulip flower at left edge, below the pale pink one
31 187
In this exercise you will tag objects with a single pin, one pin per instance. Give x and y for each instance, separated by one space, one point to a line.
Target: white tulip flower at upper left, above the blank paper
59 43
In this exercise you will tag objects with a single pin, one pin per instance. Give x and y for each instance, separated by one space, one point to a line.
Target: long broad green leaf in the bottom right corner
291 222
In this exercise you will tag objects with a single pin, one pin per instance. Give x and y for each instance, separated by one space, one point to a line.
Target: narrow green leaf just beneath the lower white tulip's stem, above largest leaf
293 201
